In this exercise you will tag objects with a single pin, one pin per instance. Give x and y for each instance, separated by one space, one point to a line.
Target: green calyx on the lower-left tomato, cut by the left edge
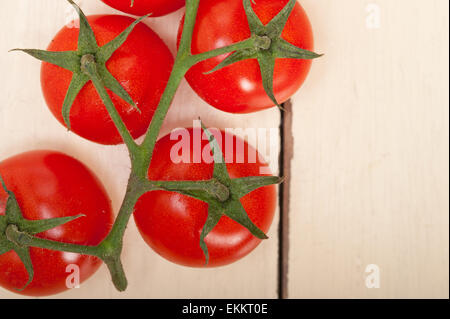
16 232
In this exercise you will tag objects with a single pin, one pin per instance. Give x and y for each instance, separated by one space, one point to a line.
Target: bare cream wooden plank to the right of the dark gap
370 170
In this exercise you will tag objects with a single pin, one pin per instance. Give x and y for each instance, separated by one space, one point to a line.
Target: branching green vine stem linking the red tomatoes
217 191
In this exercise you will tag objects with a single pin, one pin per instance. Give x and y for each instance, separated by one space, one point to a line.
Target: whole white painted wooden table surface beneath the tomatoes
369 176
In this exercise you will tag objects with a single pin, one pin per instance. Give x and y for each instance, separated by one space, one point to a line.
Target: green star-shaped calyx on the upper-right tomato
268 46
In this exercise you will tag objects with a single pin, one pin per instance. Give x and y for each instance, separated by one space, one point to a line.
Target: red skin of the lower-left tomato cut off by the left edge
49 184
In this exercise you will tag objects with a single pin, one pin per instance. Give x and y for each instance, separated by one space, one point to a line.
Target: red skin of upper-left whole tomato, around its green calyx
142 65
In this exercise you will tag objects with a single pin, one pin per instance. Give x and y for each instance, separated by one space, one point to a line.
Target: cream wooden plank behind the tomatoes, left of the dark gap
26 123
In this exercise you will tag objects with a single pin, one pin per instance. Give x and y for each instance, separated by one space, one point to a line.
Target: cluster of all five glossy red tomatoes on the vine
49 184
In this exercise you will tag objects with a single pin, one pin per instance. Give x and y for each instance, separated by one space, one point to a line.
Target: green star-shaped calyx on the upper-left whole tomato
75 61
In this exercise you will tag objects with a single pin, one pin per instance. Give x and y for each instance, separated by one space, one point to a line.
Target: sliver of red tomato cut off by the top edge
142 7
